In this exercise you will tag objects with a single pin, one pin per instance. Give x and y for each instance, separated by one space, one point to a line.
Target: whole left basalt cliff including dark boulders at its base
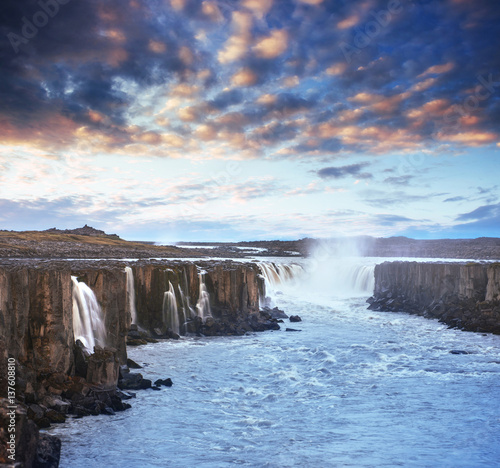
40 306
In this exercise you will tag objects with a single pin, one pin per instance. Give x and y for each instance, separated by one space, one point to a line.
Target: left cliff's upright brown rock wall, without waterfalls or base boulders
36 307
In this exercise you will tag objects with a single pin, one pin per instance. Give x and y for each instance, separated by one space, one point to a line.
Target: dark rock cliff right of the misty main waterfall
463 295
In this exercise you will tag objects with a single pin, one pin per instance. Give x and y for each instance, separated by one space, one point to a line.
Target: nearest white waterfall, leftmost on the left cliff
88 322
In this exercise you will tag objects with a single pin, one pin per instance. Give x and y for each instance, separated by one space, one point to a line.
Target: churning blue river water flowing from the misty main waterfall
352 388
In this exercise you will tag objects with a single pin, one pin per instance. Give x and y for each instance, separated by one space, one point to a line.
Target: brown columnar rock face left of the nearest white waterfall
36 323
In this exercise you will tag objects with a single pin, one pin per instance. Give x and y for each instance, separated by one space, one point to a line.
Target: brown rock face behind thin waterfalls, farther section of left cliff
234 290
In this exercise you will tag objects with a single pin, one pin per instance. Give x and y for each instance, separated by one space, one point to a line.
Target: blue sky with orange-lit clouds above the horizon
205 120
